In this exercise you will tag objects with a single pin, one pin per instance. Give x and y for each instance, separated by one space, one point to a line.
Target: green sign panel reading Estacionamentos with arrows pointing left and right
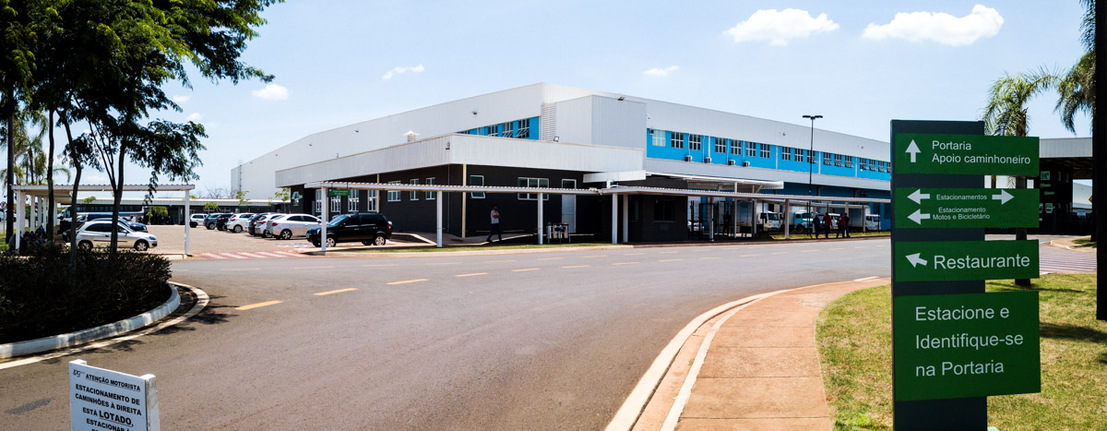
922 208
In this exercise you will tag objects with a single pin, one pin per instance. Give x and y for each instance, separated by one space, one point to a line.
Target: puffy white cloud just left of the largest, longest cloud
780 27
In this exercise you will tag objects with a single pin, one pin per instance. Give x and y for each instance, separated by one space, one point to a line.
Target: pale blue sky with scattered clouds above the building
860 65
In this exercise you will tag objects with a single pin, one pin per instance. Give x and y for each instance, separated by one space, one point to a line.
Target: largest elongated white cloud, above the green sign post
942 28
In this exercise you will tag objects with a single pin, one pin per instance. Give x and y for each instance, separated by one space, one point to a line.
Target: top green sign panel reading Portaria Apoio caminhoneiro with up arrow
920 153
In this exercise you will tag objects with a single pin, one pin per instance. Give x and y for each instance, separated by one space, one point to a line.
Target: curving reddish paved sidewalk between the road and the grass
757 368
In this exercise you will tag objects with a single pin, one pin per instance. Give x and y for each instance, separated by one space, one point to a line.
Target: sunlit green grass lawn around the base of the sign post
855 350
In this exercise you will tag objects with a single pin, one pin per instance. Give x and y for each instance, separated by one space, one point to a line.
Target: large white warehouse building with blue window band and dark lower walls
557 138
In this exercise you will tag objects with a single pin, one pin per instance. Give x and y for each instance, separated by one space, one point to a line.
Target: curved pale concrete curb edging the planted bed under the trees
65 341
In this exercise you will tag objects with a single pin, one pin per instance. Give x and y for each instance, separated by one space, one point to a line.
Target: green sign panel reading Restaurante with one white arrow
966 261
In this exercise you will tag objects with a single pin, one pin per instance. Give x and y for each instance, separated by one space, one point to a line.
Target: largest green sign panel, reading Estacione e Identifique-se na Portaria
968 345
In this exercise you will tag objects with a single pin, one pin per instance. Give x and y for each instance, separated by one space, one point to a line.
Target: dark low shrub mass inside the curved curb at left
38 299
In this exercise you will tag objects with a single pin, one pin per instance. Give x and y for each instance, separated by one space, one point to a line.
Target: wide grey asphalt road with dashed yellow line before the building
438 342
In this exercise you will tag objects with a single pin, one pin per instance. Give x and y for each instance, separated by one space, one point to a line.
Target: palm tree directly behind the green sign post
1007 115
